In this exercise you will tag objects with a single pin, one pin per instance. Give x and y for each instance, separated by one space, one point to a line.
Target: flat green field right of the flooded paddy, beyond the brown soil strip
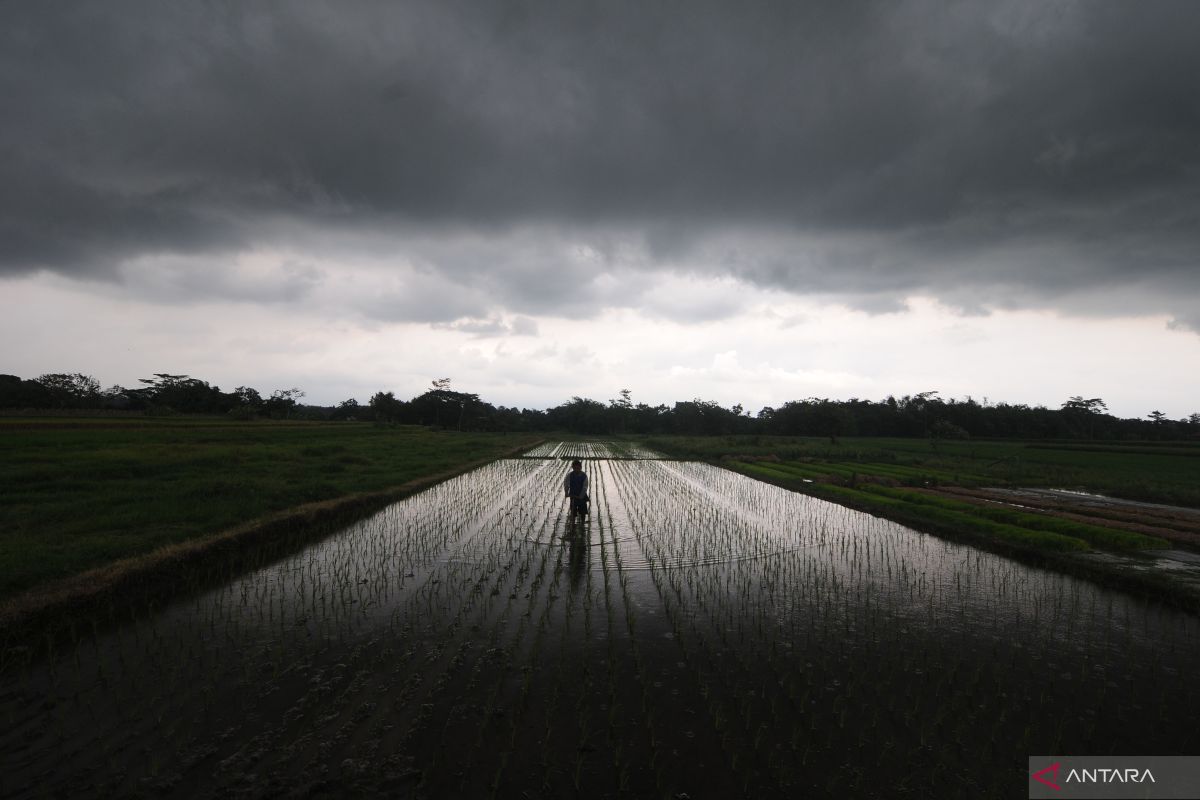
1156 473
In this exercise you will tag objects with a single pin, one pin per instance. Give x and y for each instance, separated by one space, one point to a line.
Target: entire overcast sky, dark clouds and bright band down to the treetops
749 203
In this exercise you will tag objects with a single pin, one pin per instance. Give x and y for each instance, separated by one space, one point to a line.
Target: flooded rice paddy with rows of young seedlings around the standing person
703 636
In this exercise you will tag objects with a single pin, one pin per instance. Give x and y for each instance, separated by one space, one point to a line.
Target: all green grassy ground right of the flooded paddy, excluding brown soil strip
895 478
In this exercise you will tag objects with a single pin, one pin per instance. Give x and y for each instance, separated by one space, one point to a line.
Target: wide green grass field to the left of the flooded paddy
79 494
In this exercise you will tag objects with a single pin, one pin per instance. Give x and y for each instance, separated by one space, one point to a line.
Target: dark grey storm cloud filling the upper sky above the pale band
989 153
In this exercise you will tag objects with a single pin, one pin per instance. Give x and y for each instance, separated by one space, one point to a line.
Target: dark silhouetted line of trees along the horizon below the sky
925 414
